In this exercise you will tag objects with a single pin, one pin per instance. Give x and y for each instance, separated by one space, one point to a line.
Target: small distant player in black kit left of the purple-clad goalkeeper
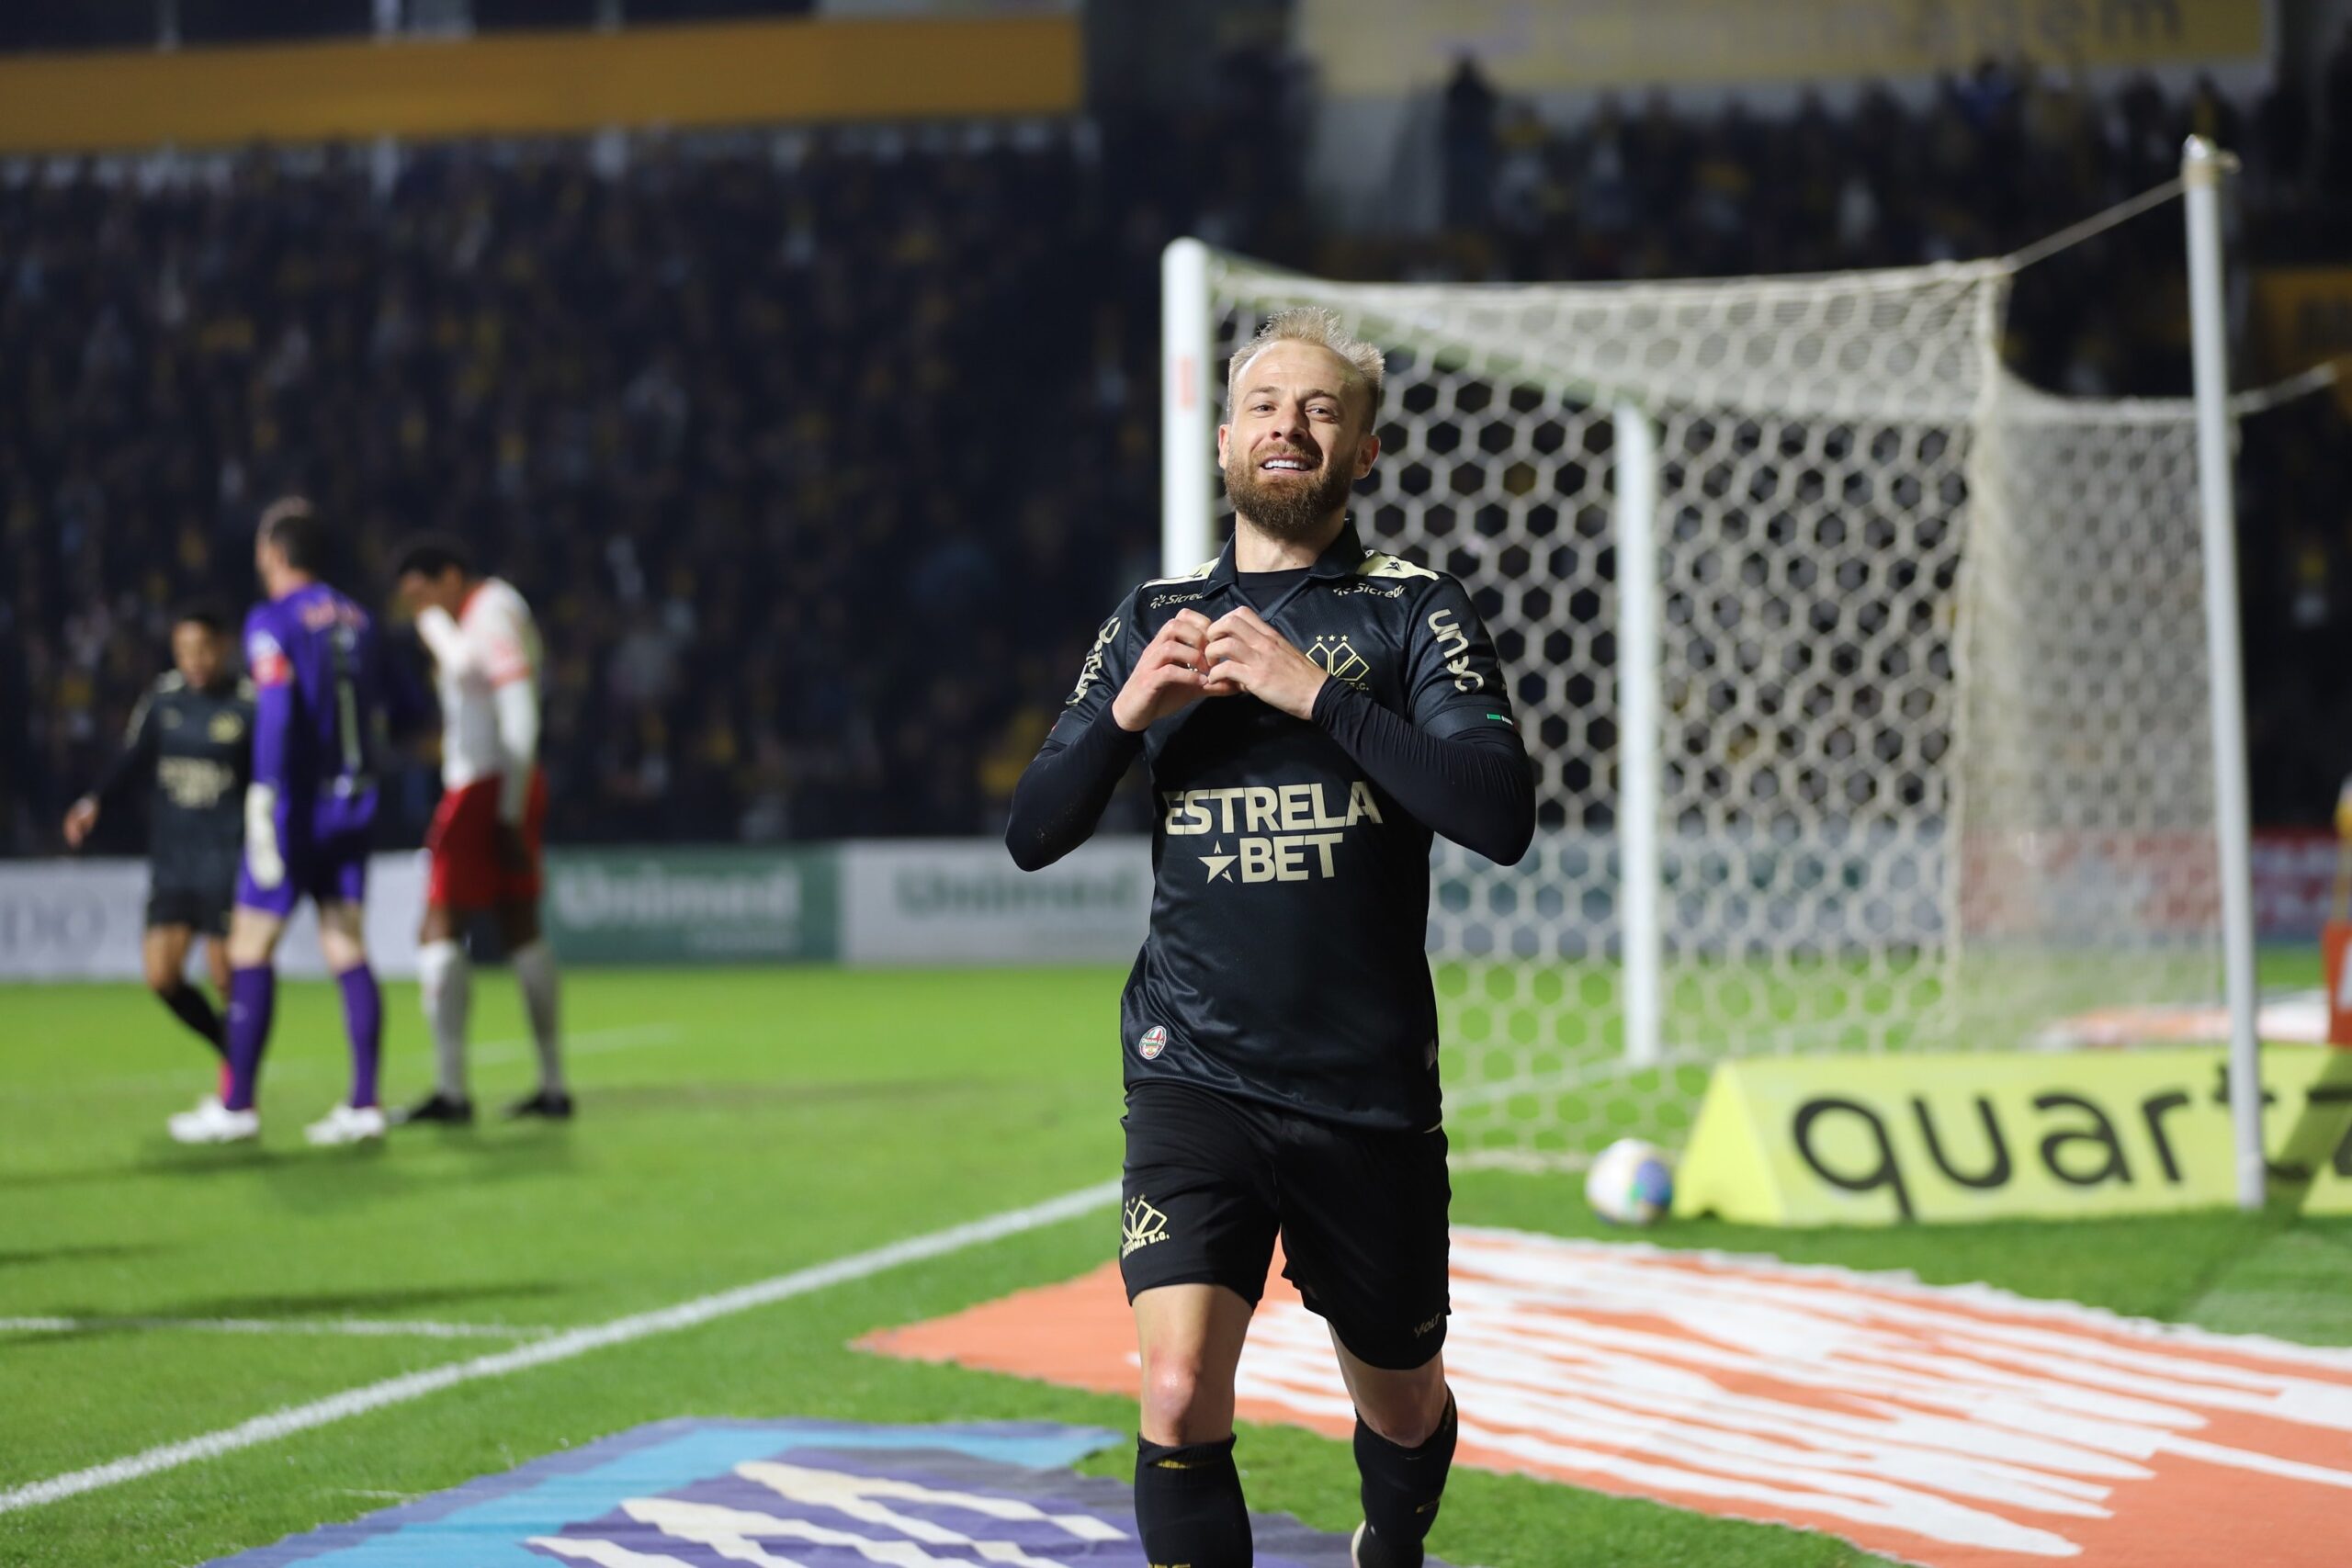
192 739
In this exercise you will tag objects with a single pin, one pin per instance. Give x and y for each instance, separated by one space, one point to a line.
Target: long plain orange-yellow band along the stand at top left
544 83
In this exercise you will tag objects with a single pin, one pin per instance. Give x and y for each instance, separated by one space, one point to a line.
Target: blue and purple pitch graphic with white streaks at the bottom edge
799 1494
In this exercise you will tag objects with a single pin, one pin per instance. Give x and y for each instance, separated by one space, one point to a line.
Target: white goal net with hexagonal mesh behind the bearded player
1866 685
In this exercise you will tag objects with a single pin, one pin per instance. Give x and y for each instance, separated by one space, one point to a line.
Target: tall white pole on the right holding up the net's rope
2200 173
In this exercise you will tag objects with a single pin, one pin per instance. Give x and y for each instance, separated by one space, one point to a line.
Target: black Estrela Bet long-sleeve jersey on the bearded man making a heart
1292 857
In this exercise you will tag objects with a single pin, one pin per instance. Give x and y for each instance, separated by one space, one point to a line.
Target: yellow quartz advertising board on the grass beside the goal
1993 1137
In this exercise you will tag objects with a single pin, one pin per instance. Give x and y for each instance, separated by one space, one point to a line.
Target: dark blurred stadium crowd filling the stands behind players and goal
820 450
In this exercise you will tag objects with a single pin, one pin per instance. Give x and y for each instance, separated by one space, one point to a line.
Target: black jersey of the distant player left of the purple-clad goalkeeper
196 749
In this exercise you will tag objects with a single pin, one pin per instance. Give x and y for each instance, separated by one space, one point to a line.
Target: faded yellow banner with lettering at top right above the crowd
1377 48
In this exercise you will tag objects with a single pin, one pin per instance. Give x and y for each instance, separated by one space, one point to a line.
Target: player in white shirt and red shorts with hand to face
486 838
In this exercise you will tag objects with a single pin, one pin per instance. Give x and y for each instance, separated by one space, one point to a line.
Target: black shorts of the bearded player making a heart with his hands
1363 1214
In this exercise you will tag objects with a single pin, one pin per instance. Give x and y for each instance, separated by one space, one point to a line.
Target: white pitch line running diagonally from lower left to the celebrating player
561 1348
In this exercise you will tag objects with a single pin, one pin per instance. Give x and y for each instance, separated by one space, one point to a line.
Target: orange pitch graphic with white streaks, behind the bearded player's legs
1960 1428
